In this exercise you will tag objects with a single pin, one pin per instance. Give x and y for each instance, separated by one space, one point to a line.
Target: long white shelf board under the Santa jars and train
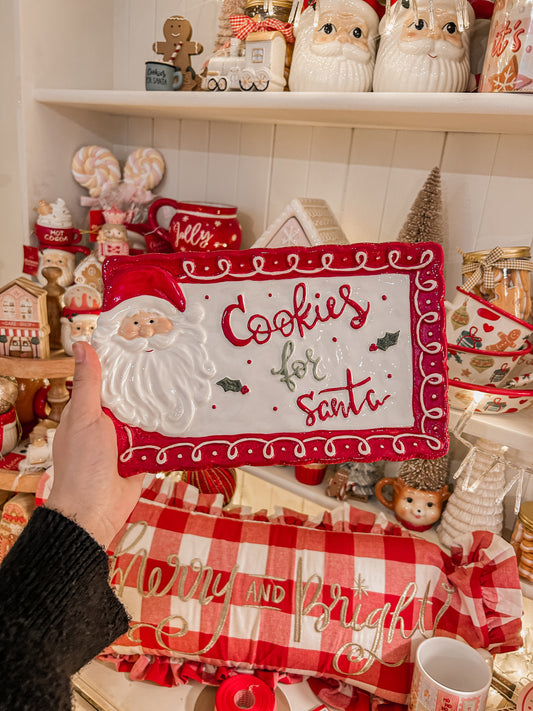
465 113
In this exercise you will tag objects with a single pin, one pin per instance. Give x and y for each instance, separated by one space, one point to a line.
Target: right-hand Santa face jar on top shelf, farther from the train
425 46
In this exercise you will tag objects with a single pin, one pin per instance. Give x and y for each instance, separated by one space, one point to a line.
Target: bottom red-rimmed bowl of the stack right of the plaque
492 401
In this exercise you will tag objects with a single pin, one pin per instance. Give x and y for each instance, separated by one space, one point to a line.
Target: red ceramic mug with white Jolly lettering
197 226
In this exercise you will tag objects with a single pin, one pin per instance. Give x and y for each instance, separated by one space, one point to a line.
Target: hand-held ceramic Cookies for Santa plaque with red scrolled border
273 356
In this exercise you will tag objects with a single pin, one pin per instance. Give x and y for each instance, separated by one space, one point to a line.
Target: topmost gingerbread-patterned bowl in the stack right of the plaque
478 324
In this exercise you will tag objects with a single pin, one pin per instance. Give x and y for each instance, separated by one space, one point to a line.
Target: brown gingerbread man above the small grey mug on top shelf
178 48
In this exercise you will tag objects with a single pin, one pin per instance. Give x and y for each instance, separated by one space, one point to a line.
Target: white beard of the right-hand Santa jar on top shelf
407 66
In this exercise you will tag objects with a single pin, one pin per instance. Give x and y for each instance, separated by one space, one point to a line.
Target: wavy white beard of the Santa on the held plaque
158 391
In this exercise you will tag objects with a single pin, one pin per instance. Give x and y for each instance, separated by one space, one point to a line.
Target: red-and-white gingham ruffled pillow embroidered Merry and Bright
345 596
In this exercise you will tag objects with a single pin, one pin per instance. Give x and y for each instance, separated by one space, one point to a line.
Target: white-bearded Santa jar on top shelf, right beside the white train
335 46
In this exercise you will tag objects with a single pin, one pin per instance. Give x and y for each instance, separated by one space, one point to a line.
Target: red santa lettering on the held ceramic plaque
330 407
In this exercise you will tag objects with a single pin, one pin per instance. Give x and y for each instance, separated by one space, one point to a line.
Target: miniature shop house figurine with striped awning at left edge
24 329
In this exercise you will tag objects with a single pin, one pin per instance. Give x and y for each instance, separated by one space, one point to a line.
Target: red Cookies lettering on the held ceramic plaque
302 316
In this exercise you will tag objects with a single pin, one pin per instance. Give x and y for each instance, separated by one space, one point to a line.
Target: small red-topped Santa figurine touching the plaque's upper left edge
79 315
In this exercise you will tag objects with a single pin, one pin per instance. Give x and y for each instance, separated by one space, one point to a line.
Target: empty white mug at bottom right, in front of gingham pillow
449 675
